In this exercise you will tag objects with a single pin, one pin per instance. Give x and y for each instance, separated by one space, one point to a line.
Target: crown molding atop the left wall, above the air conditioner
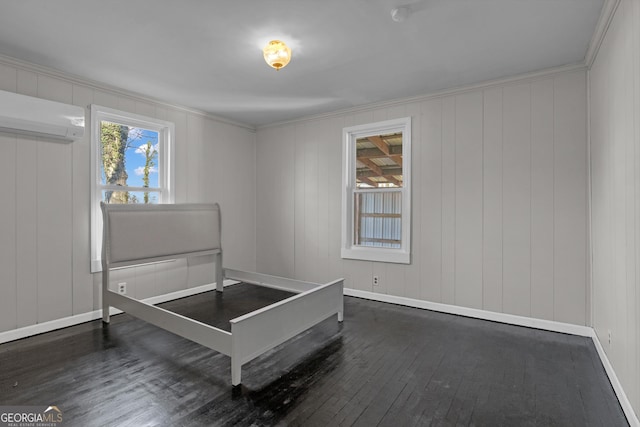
74 79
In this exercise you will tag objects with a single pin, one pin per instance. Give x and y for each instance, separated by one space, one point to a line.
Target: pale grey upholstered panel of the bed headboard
135 234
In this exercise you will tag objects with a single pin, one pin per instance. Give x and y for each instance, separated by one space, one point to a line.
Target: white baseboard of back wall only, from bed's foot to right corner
548 325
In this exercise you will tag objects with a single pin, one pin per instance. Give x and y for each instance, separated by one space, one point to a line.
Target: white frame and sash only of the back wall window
350 136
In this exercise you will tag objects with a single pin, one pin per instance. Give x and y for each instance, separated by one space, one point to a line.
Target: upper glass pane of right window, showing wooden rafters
379 161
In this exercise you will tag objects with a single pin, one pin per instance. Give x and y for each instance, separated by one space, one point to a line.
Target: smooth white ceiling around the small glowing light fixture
206 54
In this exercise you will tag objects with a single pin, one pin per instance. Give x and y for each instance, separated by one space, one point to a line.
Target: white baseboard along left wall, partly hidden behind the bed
27 331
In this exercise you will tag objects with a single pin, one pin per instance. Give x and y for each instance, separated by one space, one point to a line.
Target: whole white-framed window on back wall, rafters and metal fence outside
376 181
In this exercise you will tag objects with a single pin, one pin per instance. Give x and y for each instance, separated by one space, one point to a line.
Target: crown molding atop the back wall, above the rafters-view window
519 78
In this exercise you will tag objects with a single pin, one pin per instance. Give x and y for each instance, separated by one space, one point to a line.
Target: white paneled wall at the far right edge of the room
615 208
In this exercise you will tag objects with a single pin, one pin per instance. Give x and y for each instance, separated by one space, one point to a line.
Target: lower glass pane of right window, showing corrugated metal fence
378 219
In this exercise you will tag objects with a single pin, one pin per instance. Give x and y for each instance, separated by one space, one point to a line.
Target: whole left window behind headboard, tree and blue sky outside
131 162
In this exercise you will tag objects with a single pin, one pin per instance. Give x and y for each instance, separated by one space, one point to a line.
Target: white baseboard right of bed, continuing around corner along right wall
566 328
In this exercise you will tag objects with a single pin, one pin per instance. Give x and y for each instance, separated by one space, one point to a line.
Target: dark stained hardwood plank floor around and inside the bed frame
385 365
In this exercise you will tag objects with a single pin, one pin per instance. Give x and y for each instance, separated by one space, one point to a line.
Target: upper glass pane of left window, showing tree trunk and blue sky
129 155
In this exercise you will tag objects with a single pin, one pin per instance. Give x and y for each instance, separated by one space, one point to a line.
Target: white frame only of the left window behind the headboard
166 176
